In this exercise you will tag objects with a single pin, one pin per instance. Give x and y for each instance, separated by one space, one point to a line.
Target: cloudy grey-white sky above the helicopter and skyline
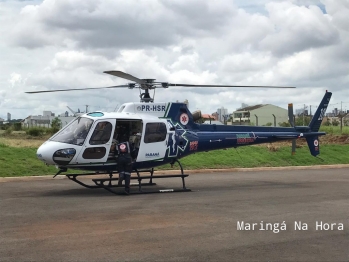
68 44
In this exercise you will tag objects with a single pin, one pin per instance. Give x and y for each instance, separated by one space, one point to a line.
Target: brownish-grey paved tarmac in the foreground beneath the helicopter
57 220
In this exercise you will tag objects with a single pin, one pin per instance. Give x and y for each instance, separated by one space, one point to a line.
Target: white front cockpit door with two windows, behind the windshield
97 145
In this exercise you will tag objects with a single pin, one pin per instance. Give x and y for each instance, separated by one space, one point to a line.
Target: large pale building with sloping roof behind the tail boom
261 115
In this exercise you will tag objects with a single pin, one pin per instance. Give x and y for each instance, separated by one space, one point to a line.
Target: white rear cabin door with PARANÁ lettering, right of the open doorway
154 142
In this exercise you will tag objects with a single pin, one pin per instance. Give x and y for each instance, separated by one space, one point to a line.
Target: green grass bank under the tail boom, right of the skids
263 157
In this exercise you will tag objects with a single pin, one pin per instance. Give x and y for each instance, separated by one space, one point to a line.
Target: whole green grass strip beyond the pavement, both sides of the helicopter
16 161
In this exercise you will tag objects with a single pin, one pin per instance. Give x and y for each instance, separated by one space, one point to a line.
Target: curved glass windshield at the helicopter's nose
74 133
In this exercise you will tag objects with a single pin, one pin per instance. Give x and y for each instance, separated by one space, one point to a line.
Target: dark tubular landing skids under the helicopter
108 183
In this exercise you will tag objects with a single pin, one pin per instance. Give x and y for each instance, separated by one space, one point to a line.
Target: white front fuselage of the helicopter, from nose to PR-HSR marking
143 124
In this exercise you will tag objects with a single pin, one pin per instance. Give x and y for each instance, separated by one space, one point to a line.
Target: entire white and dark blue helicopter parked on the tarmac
159 133
